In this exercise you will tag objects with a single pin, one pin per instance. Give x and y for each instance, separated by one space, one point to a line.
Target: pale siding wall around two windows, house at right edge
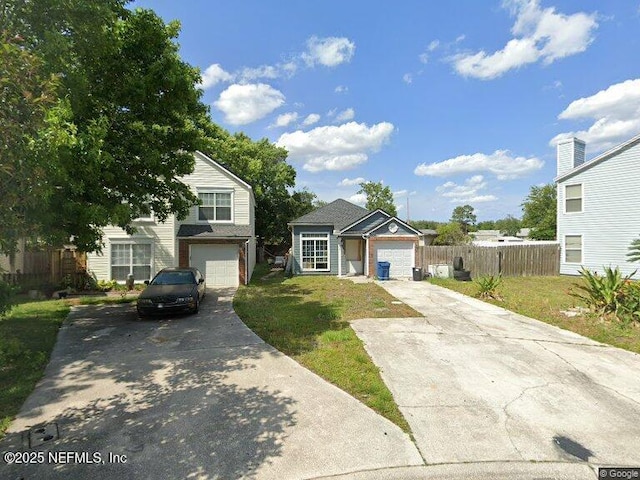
610 219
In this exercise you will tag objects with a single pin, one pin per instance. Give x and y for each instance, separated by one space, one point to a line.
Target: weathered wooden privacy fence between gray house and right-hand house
508 260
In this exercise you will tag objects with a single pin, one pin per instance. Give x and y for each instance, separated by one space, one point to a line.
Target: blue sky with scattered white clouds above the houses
447 103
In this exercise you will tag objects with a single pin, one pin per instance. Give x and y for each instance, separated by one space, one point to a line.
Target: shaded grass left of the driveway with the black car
27 336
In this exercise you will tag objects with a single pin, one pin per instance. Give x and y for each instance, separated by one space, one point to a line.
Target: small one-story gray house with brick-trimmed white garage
344 239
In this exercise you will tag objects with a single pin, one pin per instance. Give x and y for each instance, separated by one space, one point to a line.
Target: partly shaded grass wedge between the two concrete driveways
307 318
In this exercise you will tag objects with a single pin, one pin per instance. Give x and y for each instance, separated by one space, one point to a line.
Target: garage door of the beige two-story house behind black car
218 263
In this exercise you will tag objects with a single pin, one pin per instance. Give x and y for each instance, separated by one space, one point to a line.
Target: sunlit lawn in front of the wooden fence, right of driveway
543 298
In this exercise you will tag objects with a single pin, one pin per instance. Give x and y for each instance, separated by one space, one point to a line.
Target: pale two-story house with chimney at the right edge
598 206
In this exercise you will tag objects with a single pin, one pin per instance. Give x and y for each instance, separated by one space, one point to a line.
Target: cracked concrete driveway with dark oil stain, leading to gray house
492 392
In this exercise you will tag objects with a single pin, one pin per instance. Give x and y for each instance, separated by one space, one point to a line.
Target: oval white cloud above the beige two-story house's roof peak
243 104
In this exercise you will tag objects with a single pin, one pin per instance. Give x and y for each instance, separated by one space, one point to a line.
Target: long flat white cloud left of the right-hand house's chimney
501 163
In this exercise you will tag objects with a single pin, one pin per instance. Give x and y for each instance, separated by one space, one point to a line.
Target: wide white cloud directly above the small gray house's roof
335 147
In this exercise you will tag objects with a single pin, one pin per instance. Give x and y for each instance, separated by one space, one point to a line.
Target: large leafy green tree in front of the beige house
123 128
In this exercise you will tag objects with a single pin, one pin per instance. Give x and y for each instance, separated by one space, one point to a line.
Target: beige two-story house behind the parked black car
217 237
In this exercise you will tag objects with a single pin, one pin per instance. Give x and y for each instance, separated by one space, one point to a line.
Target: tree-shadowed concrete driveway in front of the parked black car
198 397
